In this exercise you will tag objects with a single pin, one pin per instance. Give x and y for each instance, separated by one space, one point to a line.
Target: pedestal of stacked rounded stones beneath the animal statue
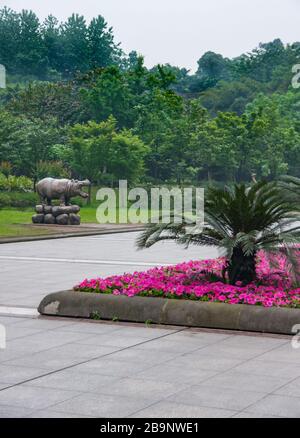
60 215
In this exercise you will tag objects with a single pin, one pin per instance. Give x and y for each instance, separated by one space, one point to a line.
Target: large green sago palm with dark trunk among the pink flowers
241 221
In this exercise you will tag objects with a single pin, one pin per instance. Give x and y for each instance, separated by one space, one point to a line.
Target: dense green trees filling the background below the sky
77 105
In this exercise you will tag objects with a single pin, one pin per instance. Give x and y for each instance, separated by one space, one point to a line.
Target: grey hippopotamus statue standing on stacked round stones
62 189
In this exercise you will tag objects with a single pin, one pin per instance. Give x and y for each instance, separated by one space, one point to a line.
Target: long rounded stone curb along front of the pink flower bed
172 312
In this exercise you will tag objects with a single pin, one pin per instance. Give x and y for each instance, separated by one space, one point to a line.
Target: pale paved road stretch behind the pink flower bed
29 270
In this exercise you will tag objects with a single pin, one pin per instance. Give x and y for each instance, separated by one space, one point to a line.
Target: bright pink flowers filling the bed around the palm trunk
190 280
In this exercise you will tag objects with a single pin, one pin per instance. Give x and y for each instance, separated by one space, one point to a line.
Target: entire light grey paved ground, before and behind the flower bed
71 368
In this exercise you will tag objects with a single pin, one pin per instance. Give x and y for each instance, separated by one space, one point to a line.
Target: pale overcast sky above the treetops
180 31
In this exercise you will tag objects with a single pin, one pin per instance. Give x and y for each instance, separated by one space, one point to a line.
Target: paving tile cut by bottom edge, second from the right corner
166 409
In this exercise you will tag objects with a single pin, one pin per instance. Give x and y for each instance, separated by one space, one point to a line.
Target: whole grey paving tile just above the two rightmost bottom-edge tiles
214 397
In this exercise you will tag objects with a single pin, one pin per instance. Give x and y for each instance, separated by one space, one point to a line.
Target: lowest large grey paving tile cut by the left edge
33 398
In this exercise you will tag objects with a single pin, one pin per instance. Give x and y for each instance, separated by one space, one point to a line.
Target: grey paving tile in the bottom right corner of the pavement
279 405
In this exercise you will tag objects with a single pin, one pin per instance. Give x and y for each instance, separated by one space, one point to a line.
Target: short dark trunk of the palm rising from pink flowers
241 268
